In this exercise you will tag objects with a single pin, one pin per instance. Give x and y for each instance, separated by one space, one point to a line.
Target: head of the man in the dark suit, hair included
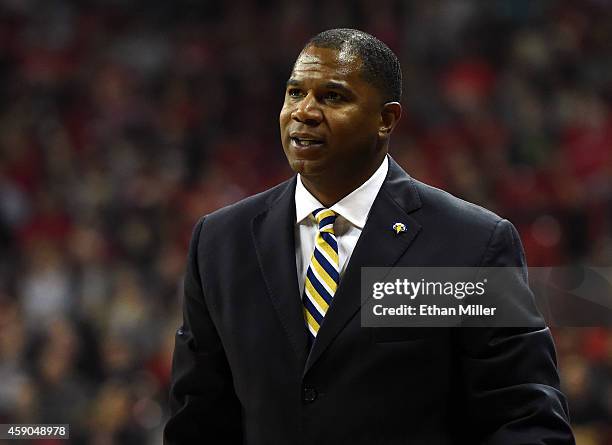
341 105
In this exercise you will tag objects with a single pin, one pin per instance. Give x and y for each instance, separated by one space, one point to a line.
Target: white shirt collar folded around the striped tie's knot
354 207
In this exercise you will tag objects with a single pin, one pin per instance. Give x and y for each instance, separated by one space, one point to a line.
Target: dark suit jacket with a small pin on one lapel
242 372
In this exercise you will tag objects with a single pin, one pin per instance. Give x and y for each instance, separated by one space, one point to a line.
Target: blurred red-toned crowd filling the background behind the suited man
122 121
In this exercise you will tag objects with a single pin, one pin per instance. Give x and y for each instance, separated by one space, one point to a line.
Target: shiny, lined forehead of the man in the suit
327 64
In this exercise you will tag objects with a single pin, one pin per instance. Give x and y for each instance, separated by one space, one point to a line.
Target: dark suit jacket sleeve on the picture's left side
203 404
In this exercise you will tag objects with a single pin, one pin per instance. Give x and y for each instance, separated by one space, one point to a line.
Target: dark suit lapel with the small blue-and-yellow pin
378 246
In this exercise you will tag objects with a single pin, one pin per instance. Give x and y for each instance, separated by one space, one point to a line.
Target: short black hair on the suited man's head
380 66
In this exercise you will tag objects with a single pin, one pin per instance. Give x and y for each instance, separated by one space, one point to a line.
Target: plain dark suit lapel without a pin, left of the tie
273 235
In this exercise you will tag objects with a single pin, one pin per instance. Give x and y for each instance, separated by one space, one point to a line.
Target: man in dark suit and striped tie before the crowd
272 350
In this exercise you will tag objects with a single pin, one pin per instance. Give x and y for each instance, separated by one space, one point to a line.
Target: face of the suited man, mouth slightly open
330 119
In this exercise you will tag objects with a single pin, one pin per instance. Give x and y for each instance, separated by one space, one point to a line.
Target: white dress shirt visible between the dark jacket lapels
352 211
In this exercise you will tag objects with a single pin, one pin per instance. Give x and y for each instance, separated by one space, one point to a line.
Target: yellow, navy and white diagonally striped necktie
323 274
